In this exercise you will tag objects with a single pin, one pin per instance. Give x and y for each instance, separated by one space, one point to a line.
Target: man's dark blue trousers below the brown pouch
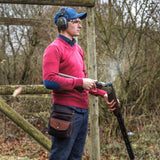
71 148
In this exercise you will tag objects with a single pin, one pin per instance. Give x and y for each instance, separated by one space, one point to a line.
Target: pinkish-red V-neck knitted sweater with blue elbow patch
61 57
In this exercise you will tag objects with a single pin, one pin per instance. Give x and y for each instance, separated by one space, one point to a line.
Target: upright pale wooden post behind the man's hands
92 73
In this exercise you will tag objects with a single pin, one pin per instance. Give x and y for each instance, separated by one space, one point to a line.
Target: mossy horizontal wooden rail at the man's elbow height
26 89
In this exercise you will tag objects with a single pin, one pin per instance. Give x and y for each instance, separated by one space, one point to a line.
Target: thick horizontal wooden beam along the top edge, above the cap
85 3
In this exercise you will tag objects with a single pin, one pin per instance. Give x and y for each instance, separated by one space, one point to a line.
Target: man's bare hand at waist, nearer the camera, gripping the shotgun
89 84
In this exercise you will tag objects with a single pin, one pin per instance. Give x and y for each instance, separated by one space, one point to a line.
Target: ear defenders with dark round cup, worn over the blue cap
62 22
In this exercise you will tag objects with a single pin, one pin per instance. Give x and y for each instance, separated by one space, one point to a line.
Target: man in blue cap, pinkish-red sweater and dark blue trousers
63 55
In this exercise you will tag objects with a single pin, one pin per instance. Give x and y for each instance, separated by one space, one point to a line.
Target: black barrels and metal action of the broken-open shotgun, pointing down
112 95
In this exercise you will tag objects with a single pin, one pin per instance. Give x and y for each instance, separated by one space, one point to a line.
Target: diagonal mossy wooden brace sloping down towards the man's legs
25 125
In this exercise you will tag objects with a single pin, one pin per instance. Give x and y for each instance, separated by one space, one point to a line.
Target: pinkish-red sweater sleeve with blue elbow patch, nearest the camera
51 79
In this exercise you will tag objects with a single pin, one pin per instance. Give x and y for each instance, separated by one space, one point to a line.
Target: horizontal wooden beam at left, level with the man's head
20 21
